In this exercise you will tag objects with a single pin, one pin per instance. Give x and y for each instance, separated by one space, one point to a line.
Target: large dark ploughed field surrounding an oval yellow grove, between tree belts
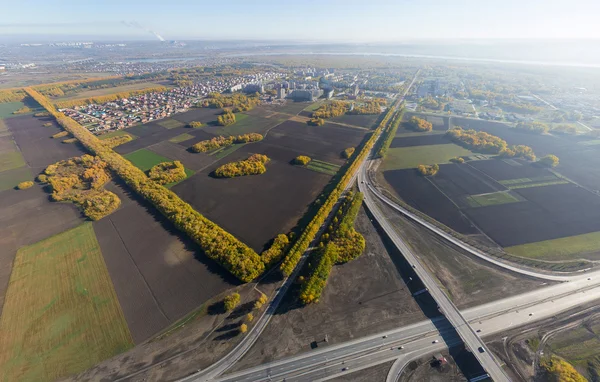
254 208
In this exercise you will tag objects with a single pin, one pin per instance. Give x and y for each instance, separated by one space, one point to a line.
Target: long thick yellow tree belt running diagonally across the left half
214 241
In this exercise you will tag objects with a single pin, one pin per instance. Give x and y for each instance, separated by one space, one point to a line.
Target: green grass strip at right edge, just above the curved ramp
565 248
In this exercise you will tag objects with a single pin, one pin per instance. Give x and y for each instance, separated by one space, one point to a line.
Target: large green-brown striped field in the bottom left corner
61 314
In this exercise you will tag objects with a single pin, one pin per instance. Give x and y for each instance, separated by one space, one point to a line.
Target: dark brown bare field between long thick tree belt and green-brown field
159 274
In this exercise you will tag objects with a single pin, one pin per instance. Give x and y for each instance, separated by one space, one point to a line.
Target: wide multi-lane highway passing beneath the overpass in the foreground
417 339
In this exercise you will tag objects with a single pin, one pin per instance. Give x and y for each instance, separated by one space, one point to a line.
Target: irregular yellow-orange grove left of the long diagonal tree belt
81 180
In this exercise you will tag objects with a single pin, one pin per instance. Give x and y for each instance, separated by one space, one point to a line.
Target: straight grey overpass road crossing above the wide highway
447 308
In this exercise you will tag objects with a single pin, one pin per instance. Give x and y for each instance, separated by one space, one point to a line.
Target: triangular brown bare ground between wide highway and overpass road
363 297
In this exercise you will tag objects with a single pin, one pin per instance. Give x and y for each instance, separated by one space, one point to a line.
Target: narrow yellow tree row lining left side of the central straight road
303 241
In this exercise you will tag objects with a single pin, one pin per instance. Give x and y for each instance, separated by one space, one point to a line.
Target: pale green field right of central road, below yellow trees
410 157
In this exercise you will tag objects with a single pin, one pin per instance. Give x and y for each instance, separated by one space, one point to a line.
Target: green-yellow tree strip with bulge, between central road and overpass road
343 244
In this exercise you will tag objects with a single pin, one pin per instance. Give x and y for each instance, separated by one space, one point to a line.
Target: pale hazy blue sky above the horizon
305 20
